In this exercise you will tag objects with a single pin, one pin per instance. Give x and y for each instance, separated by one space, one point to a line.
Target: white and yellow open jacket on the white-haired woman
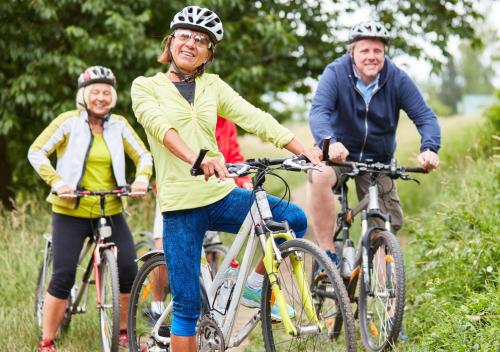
70 136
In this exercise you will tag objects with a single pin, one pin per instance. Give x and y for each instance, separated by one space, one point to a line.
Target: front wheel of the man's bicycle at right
381 335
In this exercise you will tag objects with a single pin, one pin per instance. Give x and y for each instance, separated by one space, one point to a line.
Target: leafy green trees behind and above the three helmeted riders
269 46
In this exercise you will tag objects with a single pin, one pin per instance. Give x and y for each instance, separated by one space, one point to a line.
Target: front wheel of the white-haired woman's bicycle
109 310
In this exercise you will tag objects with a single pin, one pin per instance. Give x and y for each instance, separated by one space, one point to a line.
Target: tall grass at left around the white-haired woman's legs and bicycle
21 247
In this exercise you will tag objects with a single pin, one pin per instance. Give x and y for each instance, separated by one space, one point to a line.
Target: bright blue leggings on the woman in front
183 233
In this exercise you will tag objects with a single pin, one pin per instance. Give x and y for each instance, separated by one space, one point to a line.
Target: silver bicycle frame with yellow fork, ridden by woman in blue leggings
251 232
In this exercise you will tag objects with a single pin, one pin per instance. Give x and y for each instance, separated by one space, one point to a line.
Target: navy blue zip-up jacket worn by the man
368 131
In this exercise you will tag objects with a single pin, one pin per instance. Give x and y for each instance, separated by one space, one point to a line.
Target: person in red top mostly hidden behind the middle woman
226 136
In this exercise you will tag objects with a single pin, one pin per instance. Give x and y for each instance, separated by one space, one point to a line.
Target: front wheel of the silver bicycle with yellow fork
314 337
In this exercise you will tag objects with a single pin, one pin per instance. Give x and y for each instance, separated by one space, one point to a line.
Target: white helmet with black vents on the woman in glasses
199 19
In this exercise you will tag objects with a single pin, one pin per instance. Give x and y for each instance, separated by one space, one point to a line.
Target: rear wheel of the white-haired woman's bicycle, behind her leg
42 284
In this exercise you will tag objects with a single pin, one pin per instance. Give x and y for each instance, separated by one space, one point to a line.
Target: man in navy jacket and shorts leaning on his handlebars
357 106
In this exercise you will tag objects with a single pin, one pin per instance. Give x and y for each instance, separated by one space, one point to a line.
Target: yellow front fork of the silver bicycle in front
272 258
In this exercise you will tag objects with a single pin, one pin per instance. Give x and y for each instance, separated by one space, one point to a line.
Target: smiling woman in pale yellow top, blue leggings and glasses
179 110
